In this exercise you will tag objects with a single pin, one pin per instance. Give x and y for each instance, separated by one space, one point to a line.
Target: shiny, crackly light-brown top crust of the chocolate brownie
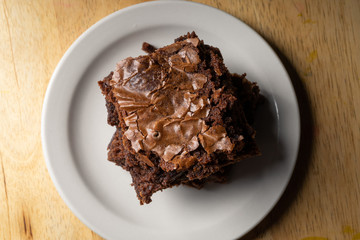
163 107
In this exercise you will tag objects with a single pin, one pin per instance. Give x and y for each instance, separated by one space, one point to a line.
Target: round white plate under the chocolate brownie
75 133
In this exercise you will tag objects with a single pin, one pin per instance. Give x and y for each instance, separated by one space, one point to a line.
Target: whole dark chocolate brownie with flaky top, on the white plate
180 116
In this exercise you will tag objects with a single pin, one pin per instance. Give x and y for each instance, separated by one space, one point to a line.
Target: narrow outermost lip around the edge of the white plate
78 41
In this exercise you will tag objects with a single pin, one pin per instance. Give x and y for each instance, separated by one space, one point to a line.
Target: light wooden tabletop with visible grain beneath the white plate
318 42
